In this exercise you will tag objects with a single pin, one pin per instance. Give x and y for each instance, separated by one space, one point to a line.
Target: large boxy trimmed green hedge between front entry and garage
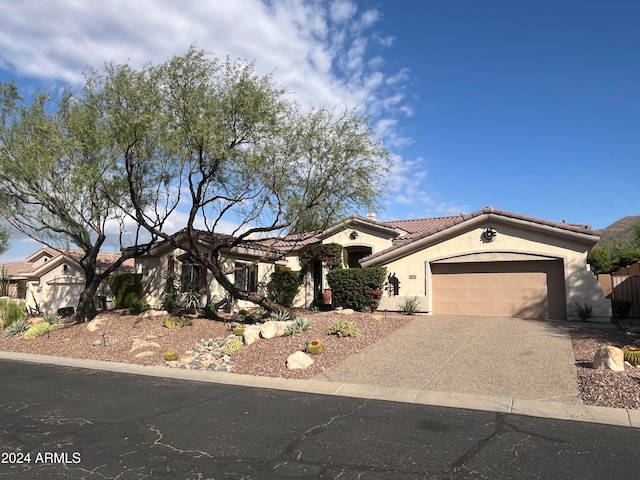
357 288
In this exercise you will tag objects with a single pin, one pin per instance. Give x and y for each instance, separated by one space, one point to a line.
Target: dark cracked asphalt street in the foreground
61 422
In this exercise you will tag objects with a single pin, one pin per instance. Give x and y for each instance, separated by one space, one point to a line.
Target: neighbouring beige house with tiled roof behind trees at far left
53 279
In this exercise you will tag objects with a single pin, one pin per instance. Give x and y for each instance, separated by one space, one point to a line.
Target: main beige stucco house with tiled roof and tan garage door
487 263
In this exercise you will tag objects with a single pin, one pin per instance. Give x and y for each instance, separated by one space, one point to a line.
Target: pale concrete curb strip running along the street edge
532 408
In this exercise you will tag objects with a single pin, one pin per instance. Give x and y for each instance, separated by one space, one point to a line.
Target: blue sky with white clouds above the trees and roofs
529 106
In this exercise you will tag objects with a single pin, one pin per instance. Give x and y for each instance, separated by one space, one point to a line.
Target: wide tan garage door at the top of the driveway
526 289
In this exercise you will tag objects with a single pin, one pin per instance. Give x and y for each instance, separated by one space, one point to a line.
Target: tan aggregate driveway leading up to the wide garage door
502 357
